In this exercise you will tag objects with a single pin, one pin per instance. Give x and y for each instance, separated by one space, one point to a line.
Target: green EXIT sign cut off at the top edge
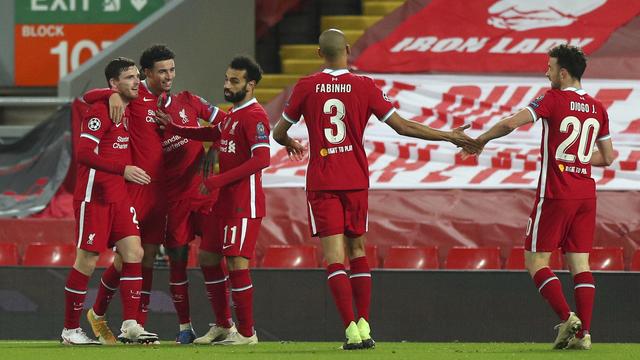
84 11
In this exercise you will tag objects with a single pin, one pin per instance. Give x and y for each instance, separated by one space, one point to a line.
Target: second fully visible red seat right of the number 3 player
473 258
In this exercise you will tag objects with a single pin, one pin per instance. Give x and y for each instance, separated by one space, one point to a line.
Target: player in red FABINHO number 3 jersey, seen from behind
336 106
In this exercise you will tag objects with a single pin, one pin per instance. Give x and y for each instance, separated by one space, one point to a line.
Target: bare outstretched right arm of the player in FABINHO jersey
416 130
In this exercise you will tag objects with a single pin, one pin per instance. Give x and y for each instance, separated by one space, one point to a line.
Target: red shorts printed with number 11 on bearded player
231 236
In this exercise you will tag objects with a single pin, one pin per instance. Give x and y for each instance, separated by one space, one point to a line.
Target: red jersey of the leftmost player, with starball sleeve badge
112 143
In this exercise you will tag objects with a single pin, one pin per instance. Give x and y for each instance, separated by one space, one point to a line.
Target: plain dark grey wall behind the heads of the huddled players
205 35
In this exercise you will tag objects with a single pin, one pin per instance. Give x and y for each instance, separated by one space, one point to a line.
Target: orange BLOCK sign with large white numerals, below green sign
46 52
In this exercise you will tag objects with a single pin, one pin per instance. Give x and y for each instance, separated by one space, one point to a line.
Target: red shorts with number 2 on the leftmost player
100 225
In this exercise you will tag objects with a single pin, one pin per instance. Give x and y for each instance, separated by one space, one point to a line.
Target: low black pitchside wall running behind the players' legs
295 305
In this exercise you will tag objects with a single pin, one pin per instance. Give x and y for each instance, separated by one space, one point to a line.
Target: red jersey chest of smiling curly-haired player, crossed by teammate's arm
182 157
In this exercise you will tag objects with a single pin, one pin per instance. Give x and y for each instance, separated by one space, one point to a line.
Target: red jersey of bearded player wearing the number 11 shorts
243 129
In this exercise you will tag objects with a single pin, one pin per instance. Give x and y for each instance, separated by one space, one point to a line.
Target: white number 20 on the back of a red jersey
585 146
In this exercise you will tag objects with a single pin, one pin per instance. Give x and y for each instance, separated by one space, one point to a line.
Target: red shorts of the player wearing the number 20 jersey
558 223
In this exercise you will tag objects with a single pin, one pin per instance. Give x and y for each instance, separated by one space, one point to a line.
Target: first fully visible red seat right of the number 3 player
411 257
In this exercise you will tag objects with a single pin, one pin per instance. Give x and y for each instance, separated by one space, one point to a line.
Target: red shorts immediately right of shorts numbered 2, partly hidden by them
150 202
